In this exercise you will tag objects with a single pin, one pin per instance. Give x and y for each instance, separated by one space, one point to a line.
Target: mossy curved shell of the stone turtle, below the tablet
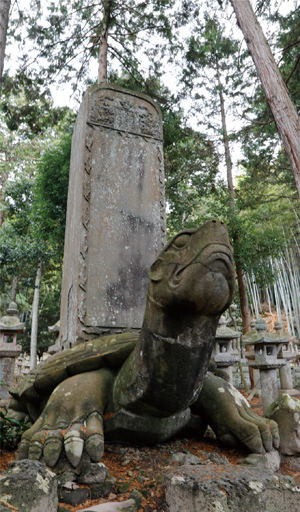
108 351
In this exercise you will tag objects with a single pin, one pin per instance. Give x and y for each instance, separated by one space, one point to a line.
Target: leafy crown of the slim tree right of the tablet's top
212 72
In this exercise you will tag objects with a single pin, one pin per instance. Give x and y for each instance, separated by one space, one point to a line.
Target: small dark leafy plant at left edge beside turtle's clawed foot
11 430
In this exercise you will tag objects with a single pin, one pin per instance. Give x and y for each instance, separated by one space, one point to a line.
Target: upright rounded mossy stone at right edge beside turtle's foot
286 412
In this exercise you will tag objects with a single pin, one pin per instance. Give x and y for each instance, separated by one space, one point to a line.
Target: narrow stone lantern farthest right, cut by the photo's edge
287 353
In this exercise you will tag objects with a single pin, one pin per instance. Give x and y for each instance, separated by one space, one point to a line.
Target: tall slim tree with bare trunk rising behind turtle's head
211 64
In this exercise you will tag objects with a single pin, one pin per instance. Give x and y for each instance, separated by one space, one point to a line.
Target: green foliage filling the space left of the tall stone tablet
35 197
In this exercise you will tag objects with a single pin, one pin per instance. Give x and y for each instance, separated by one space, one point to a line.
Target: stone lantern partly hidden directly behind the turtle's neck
225 352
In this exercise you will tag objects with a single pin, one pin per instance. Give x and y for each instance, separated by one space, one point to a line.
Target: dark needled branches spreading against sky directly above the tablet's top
68 37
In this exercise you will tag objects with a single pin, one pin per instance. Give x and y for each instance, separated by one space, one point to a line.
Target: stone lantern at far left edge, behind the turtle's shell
10 327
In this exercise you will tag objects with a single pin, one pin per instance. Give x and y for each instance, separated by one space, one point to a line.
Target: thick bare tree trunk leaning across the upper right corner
283 110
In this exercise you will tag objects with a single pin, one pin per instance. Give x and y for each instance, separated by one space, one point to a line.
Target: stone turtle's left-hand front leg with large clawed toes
71 421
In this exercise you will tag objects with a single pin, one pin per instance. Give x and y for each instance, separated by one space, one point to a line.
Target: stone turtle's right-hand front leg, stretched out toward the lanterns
231 418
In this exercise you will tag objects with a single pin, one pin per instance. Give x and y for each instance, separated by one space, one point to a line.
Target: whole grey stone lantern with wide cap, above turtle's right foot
266 349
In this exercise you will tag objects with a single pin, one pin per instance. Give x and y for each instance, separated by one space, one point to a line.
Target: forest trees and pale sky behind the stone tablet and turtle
223 155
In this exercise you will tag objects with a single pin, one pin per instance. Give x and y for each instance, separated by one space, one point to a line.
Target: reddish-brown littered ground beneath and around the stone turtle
143 468
